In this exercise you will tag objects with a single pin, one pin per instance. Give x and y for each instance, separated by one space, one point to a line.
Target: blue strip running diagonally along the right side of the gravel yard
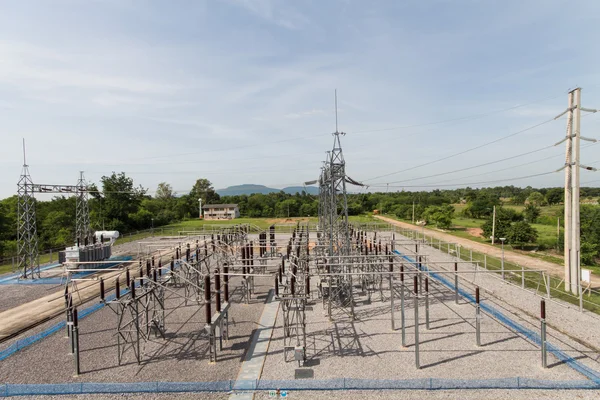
531 335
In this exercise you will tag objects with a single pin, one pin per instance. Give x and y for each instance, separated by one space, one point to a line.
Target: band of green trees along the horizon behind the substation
118 204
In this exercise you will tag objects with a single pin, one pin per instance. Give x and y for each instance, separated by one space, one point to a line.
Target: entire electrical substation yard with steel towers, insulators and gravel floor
241 311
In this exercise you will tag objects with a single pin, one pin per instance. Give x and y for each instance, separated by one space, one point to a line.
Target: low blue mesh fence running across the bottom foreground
9 390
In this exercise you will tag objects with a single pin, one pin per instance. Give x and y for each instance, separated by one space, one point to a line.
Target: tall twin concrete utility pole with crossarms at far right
571 219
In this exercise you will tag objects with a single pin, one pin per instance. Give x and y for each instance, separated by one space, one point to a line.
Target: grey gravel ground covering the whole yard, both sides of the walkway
366 348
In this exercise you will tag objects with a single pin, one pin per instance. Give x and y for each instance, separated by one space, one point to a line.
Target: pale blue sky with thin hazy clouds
242 91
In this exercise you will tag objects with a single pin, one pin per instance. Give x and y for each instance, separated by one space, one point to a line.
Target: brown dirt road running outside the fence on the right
529 262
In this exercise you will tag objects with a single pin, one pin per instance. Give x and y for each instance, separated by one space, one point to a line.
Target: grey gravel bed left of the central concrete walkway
181 357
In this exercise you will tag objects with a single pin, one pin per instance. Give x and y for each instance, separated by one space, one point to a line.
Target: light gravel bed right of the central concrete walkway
367 348
